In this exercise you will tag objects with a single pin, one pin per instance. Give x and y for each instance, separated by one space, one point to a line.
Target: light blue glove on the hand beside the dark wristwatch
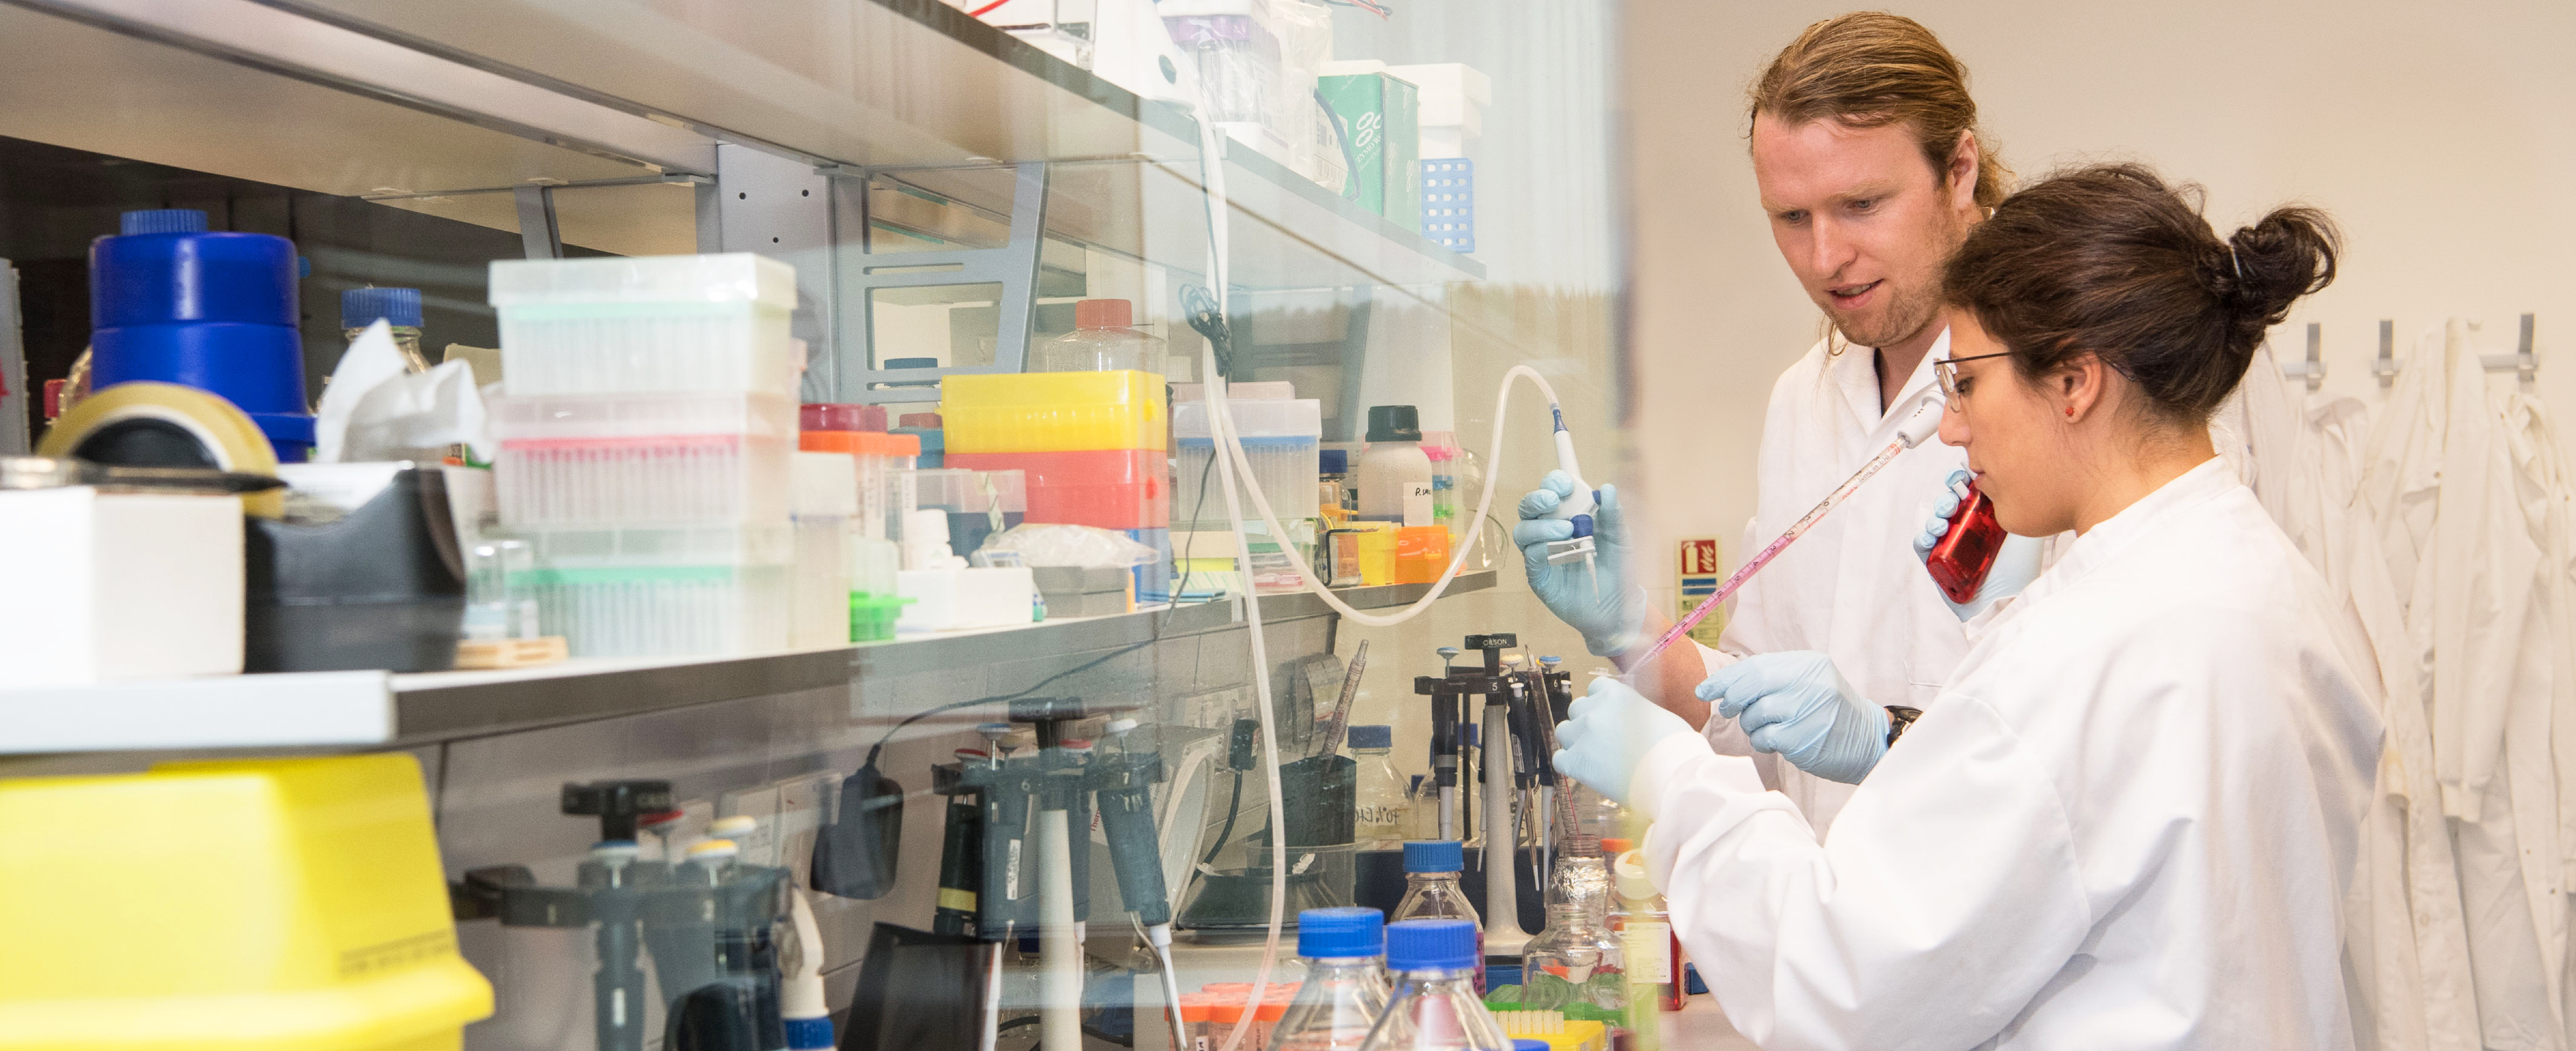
1797 705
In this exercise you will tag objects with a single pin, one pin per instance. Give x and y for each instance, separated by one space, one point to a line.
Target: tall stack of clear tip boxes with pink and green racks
645 450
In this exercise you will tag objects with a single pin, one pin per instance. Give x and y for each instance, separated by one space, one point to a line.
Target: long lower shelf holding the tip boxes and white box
377 710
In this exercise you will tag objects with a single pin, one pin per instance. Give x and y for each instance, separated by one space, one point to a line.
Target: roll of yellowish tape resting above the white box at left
166 426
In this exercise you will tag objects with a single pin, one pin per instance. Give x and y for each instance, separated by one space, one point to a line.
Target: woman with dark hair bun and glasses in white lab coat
2132 815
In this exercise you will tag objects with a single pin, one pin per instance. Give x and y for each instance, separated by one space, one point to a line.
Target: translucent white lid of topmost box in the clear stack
645 279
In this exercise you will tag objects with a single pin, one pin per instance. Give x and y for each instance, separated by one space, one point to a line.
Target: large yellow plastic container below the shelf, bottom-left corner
267 905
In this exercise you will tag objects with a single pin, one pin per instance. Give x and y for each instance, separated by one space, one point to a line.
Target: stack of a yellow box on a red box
1088 444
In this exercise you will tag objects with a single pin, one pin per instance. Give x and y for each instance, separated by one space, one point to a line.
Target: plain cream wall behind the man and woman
2438 135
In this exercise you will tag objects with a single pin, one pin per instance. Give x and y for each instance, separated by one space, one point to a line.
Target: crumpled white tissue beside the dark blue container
375 411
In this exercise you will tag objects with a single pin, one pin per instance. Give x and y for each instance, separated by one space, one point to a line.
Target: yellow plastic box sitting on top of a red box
1055 413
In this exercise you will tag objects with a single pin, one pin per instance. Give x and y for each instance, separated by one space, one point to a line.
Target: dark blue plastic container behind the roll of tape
179 305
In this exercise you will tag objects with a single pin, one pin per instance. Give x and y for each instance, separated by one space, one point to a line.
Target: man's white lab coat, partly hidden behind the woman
1851 586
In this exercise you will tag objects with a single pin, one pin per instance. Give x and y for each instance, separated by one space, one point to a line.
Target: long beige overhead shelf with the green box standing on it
929 97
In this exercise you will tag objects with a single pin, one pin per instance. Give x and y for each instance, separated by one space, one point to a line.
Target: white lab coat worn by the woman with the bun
2129 823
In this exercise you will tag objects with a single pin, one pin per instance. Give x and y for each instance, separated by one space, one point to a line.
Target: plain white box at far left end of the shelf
117 586
